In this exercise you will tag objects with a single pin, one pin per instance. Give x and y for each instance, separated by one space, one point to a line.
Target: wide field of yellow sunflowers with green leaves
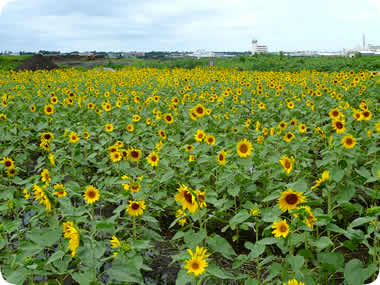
218 175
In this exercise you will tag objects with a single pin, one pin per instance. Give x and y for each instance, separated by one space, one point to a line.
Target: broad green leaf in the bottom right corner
354 273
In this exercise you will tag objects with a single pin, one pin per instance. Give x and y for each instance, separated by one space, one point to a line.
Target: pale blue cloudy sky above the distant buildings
187 25
